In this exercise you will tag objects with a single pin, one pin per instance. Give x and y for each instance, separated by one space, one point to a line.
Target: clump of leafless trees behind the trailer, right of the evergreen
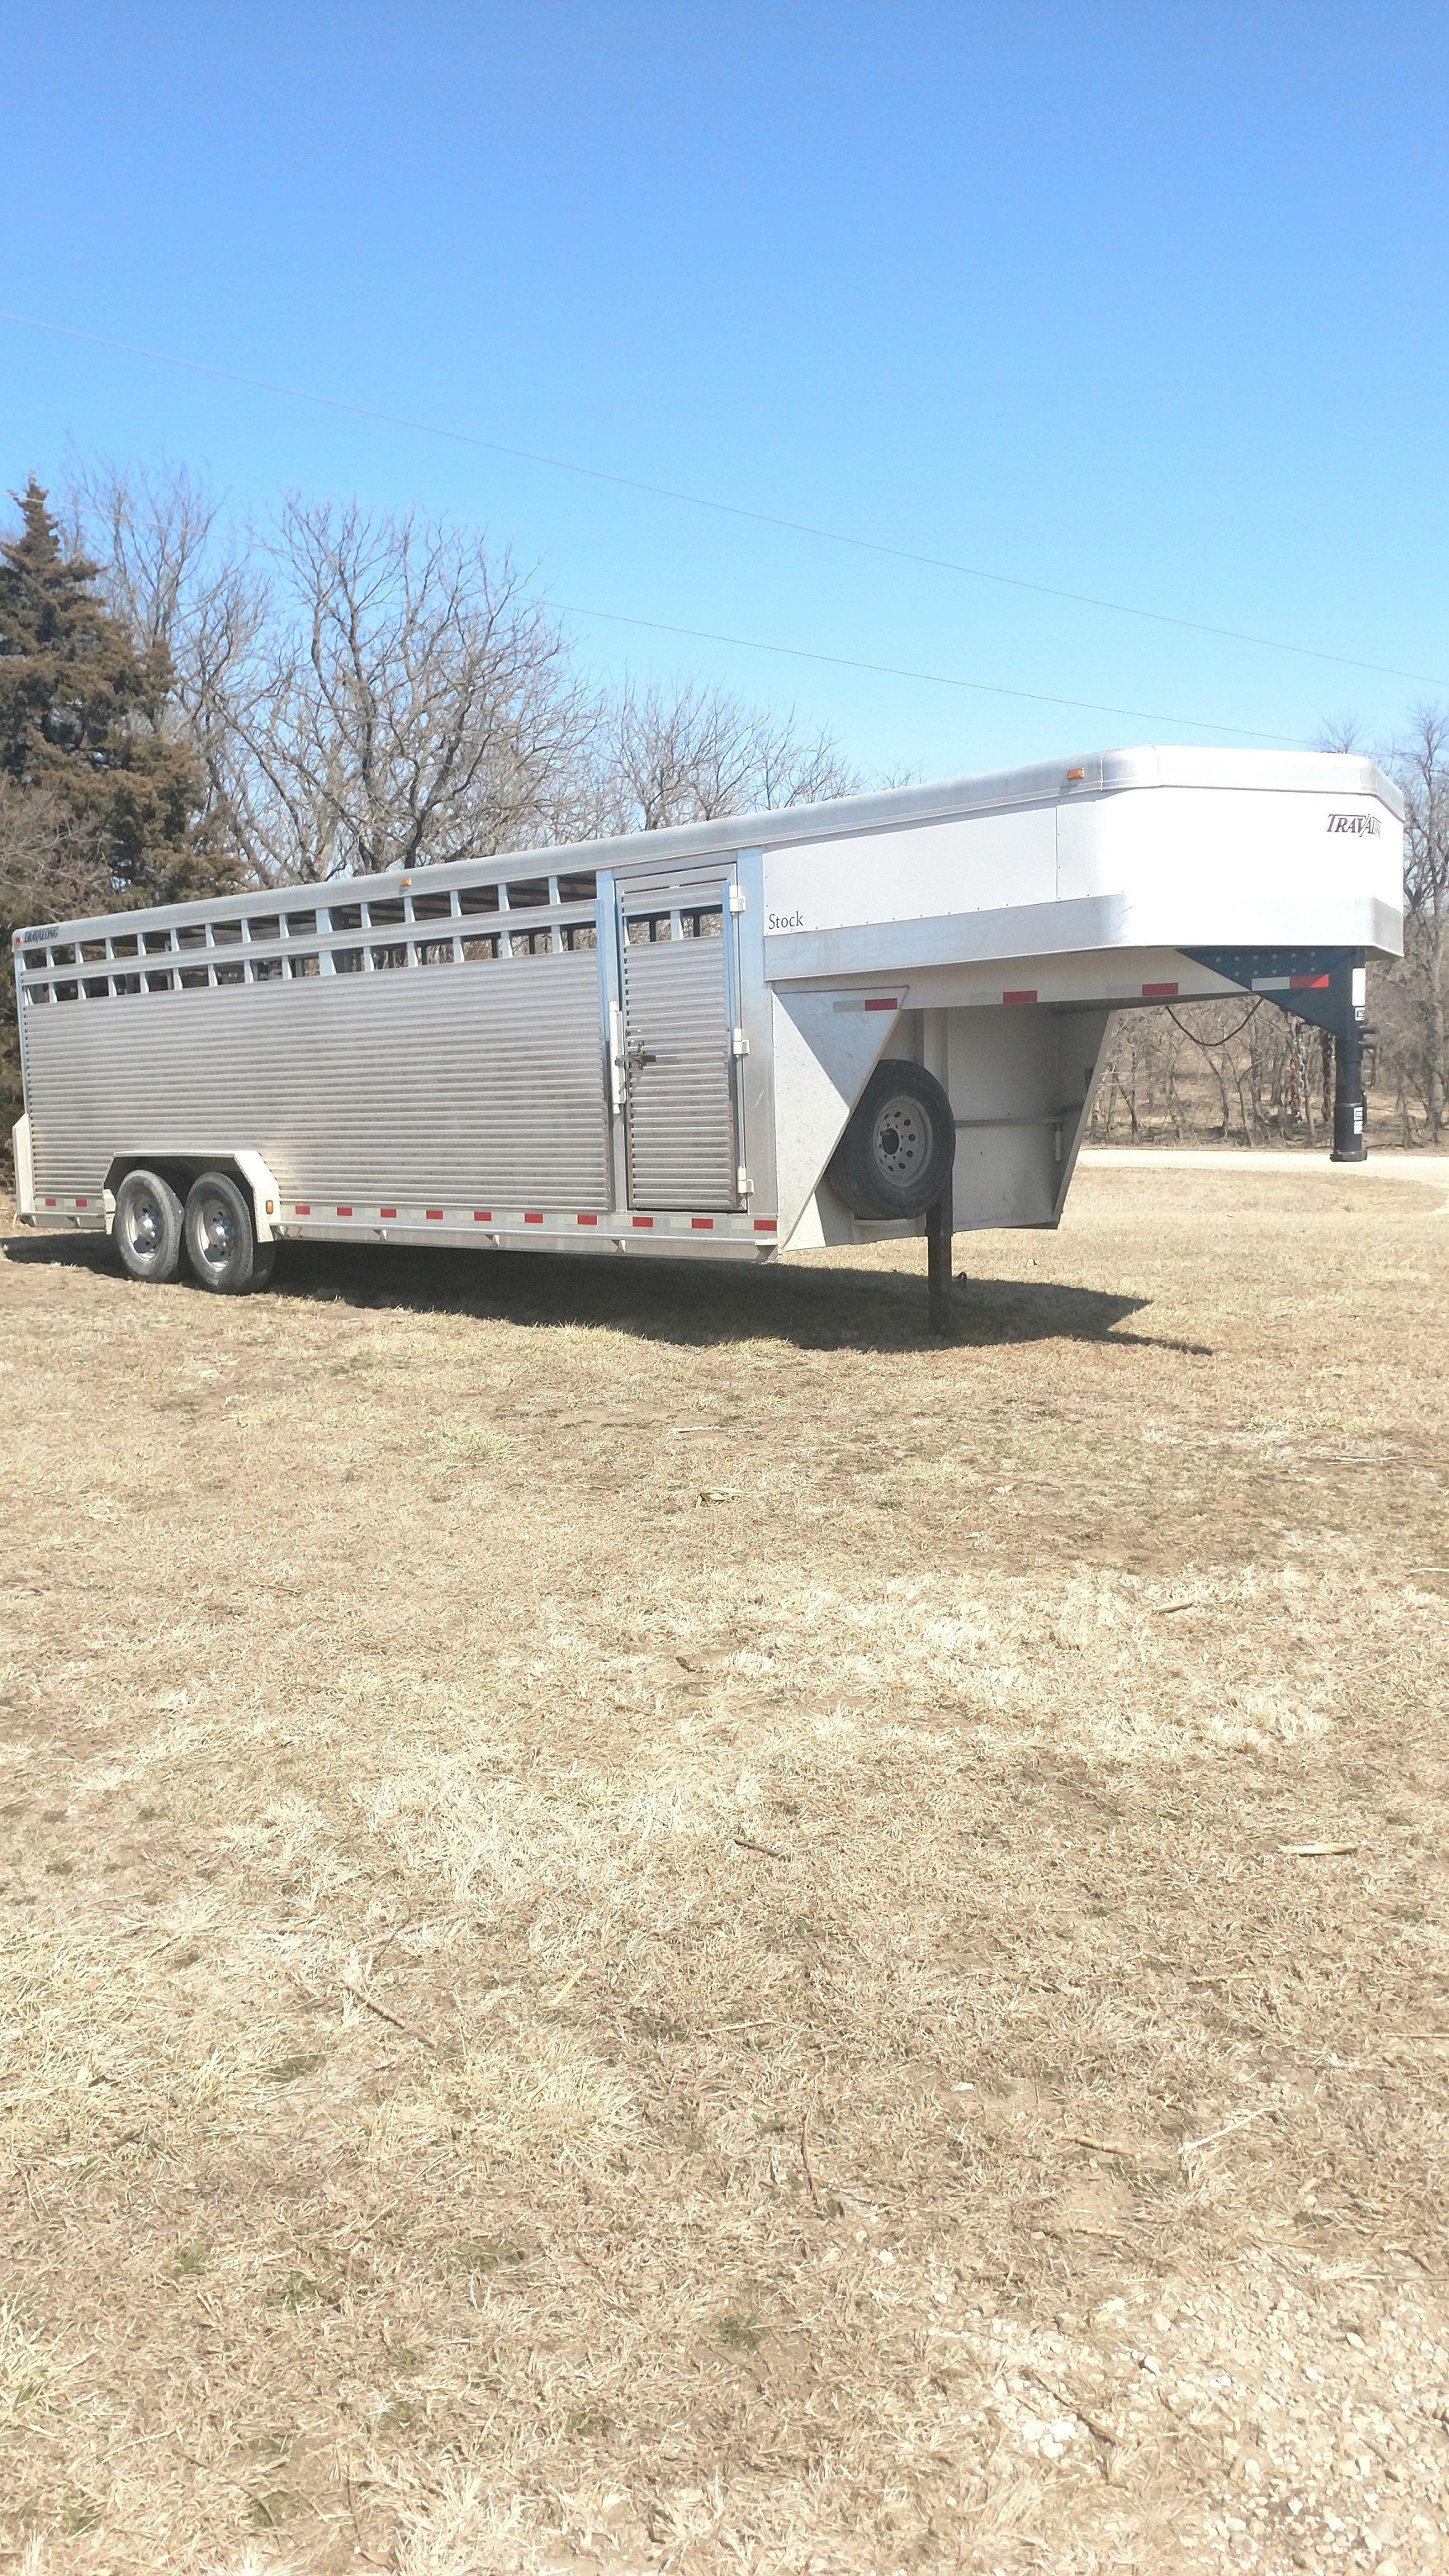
385 692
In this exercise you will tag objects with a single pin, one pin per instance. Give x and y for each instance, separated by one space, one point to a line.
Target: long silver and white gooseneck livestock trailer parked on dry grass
728 1039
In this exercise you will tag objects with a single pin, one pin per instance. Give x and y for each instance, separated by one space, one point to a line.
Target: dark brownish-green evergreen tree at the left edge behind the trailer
84 720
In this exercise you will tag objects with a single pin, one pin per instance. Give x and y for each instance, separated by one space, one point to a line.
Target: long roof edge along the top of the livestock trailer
1043 782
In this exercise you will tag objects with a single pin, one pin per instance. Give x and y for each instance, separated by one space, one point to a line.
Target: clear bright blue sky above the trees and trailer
1141 303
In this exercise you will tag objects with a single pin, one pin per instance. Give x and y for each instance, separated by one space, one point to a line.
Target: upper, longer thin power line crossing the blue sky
723 509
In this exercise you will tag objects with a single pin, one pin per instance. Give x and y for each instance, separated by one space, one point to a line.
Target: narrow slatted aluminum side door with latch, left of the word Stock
679 985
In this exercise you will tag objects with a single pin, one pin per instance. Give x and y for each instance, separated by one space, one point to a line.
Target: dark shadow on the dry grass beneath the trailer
674 1302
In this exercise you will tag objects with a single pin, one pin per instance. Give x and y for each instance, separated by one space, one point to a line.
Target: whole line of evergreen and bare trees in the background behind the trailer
190 705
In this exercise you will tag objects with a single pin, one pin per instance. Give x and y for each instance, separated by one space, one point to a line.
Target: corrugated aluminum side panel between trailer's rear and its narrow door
455 1083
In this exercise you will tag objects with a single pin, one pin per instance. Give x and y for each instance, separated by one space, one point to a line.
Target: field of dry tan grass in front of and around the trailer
656 1926
